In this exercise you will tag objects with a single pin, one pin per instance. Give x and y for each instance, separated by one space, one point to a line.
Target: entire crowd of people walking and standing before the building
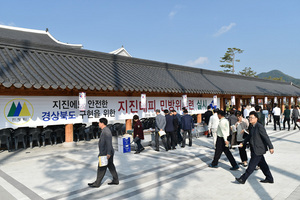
240 129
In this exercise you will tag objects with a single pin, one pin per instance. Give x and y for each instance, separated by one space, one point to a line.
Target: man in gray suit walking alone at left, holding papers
105 149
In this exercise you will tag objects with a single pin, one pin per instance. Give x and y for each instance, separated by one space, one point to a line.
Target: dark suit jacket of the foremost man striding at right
259 139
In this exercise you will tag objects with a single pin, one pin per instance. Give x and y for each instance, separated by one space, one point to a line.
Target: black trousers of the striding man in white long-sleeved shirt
220 148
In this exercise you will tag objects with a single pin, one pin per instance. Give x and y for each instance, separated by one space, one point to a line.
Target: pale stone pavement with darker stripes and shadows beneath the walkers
56 172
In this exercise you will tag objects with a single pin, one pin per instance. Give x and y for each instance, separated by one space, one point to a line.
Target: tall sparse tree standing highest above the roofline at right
229 58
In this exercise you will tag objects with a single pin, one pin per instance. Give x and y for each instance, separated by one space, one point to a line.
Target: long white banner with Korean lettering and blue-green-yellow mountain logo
52 110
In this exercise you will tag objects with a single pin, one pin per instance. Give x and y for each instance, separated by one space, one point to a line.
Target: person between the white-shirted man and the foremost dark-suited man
241 127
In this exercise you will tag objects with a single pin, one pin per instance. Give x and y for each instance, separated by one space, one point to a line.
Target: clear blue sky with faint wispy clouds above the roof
193 33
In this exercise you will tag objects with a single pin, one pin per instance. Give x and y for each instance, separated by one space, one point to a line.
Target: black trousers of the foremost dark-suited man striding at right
257 161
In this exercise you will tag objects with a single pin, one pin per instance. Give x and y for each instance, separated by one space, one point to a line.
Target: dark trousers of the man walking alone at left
102 170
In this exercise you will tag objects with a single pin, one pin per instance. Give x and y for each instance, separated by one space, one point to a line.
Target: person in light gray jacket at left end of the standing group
160 125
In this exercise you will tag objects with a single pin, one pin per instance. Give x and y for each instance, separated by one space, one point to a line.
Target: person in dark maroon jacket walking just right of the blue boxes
138 133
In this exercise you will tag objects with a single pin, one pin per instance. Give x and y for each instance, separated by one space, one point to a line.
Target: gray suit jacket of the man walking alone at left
105 143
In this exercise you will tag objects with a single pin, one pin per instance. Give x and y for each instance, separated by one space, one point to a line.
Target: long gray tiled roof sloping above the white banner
47 66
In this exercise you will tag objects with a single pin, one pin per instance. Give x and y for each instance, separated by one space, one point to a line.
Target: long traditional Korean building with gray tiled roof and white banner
41 78
